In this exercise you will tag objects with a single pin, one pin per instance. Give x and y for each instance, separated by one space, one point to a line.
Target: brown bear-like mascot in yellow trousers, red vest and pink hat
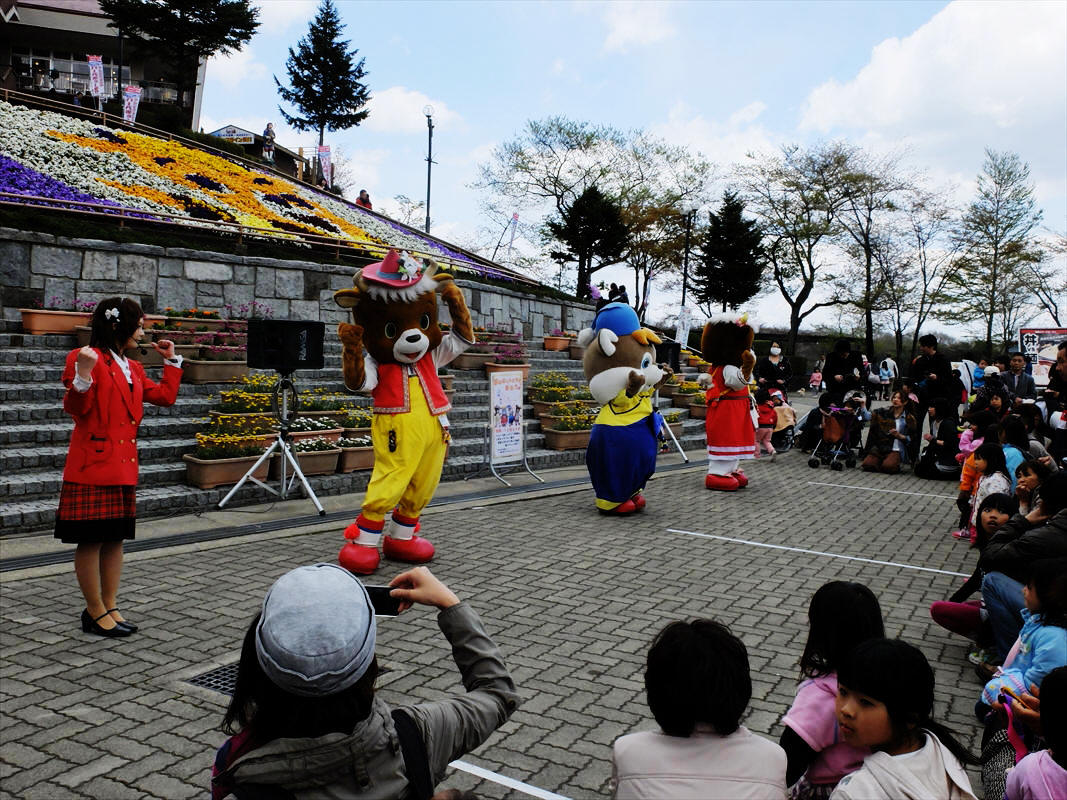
393 350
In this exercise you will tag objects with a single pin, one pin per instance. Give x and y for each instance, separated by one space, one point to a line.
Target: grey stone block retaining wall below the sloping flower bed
36 267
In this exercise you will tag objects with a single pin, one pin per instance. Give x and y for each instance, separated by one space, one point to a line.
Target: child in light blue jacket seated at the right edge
1043 643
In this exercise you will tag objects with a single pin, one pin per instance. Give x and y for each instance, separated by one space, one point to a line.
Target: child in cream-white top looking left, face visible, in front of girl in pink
885 701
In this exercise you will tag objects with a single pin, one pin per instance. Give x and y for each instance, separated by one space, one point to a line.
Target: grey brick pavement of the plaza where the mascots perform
572 598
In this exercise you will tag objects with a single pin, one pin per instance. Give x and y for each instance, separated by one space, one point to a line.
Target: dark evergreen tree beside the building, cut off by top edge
183 34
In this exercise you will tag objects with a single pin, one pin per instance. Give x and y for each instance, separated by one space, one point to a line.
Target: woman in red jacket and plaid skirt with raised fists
106 395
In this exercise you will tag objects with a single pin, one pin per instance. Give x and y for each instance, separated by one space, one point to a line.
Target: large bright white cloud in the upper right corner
972 66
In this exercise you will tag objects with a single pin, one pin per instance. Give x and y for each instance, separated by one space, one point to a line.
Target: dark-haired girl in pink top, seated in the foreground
841 615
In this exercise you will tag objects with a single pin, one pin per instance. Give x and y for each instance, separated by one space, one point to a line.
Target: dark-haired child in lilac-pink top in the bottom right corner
1043 776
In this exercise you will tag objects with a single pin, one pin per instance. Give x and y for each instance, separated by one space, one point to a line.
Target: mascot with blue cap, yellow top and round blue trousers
623 375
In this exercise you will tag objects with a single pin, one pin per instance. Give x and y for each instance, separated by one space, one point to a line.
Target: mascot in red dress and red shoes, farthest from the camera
731 423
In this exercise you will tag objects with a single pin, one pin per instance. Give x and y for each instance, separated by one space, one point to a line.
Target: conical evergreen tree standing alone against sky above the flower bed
326 82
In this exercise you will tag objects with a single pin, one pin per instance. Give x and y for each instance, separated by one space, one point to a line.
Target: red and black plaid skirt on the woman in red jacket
95 514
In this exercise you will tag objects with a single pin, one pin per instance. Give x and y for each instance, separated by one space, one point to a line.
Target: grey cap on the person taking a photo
316 635
